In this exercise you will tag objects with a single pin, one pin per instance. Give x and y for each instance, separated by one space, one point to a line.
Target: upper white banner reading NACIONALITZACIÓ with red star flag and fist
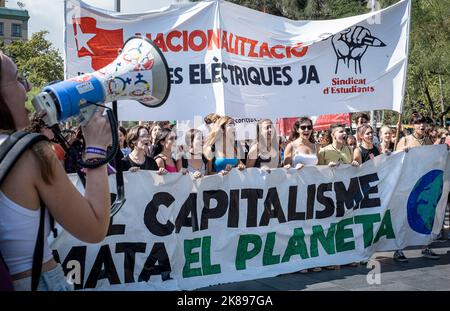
239 62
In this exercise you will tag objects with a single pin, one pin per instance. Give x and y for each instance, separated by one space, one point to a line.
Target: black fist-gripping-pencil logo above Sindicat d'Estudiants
352 44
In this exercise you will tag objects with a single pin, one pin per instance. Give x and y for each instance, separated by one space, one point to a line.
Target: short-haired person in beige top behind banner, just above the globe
416 139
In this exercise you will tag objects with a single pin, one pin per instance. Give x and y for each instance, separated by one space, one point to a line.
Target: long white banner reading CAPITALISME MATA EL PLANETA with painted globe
177 233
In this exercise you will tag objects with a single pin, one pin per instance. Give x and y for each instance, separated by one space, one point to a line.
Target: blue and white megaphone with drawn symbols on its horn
140 73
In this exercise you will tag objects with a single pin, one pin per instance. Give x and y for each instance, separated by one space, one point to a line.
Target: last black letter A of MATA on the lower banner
158 254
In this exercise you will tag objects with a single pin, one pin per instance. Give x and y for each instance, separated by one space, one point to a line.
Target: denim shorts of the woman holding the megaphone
52 280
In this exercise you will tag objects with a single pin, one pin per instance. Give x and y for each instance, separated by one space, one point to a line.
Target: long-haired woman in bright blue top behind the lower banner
220 148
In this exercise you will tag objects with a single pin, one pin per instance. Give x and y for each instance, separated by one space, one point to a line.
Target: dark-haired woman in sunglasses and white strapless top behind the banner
302 151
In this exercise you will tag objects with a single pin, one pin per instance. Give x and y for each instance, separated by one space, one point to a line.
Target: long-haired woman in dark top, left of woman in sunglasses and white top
264 152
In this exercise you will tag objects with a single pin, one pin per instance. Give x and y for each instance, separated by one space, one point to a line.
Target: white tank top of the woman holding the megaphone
18 233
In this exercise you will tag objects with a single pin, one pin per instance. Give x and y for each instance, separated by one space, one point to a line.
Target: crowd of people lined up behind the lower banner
213 147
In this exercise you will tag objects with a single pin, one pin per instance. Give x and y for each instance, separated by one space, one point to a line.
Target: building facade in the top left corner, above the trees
13 24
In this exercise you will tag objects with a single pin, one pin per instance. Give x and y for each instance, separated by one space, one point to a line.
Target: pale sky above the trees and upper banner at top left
49 14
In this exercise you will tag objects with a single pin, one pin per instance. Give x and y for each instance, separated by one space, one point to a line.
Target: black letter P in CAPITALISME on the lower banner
221 198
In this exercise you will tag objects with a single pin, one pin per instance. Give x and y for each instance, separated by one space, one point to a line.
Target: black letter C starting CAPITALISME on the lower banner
150 220
